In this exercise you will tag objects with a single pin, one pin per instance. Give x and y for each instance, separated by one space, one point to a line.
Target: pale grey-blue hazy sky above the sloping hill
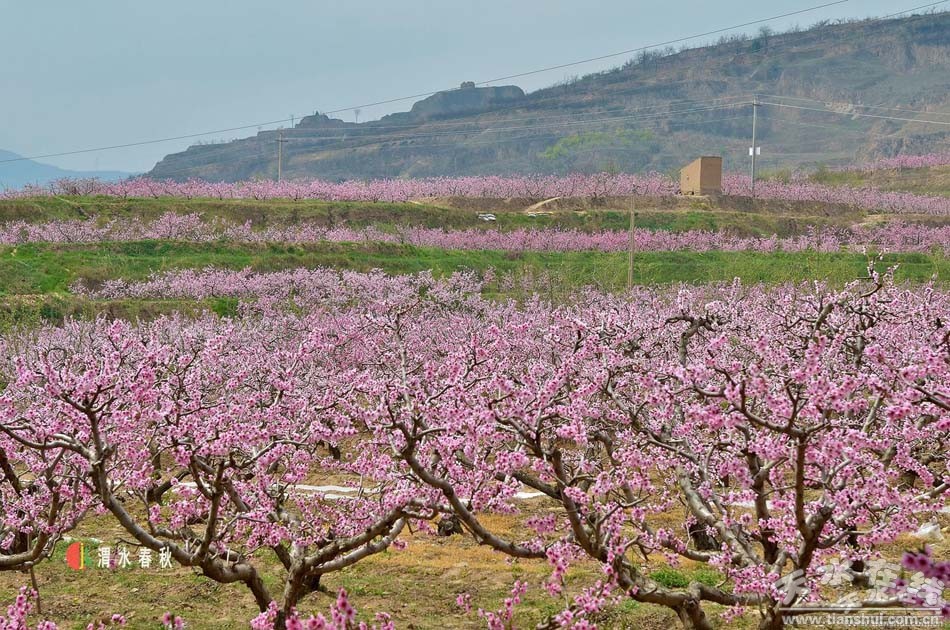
79 74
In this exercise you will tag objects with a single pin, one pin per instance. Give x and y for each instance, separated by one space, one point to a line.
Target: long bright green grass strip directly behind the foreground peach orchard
50 269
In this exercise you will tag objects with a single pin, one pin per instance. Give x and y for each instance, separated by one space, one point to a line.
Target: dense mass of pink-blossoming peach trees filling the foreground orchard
758 431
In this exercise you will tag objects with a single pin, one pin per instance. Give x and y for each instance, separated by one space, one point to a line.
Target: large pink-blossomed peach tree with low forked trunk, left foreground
194 437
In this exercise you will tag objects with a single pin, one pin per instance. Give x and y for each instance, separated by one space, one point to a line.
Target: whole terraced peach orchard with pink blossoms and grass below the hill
104 299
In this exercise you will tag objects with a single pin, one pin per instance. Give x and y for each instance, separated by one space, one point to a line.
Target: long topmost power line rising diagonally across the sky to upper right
403 98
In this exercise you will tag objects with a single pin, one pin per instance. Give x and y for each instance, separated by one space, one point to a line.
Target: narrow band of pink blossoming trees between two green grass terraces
891 237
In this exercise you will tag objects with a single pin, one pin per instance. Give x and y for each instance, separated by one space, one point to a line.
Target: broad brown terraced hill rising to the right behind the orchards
656 112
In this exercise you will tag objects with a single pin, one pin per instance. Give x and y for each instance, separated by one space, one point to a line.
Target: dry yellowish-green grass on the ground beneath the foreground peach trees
417 586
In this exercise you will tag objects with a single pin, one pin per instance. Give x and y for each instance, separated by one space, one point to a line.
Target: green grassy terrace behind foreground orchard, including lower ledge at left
35 280
